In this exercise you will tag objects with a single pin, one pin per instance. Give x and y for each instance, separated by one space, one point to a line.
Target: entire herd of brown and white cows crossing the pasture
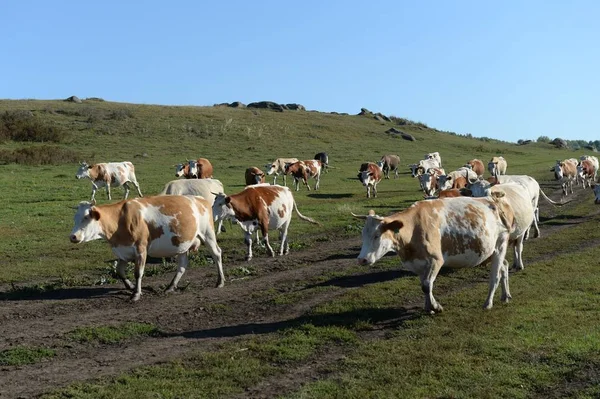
464 219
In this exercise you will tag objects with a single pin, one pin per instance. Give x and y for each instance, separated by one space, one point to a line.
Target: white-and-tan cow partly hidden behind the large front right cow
523 211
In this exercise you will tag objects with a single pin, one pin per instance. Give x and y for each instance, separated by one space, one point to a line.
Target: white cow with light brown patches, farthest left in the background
111 174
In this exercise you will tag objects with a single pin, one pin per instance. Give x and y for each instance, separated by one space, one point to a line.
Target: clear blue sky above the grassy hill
502 69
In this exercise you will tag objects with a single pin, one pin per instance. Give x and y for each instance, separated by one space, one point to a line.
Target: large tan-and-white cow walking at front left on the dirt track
159 226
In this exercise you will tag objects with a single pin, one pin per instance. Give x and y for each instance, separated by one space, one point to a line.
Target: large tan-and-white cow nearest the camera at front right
452 232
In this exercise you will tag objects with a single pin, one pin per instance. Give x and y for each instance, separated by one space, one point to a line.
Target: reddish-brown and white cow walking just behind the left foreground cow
261 207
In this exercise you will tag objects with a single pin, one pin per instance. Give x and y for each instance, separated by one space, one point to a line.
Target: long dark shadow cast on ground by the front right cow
377 318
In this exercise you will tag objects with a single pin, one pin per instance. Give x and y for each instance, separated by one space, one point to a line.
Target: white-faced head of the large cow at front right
377 237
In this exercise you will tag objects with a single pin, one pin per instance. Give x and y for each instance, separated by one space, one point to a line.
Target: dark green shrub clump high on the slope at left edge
23 126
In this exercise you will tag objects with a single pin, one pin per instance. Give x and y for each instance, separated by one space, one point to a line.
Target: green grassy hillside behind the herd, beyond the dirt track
35 218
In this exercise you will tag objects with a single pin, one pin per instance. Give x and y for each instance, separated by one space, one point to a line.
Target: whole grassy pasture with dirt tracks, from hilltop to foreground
312 324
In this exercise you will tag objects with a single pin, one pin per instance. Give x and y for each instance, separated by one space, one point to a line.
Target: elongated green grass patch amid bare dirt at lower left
112 334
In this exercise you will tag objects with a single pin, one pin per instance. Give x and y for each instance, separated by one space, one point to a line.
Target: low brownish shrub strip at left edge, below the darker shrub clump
43 155
